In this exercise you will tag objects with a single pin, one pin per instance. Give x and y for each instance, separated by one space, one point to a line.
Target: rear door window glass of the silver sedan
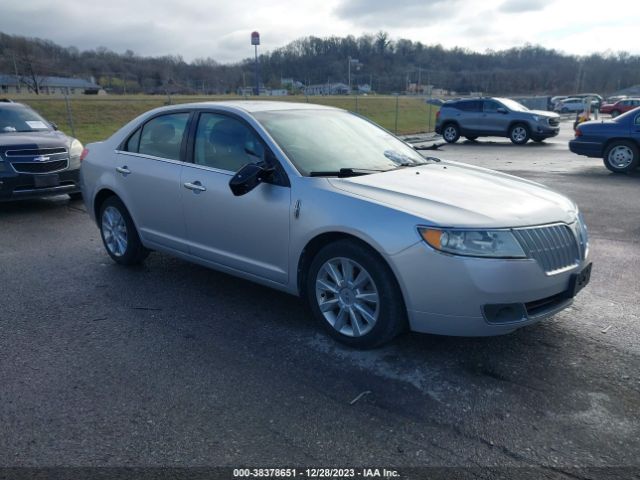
160 137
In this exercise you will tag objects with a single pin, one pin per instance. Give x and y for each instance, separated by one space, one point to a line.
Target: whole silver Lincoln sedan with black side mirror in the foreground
321 203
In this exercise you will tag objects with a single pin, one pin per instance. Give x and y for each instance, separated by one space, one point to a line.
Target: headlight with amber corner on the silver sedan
473 243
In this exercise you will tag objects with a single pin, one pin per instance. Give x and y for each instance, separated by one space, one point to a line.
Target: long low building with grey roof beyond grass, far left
12 84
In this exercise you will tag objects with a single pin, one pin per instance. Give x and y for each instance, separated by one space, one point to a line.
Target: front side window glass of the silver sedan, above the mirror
226 143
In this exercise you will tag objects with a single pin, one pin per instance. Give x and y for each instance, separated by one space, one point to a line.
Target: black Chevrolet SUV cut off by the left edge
35 158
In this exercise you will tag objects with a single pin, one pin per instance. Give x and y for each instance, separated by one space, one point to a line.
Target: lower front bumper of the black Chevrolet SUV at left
14 186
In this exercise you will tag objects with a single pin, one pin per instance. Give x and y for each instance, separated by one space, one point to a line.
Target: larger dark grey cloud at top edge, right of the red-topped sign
381 14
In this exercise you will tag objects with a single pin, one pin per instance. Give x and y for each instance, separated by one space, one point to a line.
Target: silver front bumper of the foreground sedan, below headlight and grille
454 295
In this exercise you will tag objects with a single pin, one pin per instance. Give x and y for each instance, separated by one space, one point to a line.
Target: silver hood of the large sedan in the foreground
458 195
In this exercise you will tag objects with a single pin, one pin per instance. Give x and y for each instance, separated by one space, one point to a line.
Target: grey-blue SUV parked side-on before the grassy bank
495 117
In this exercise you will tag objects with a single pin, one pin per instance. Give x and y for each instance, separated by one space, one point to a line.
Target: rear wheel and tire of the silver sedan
119 234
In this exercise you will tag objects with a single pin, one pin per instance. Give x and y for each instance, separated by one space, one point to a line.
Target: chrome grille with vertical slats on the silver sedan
554 247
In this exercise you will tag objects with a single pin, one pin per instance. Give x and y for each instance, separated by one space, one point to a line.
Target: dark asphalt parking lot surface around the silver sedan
170 364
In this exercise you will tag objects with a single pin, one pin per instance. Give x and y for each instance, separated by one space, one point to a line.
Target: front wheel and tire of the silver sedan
338 274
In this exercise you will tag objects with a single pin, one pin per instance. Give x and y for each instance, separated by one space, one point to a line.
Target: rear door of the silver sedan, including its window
148 166
